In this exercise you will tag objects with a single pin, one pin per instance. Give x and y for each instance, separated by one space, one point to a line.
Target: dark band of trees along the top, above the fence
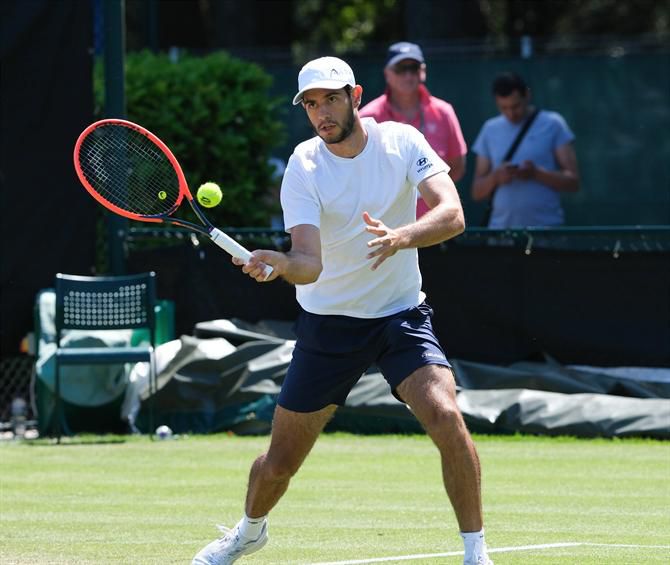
311 27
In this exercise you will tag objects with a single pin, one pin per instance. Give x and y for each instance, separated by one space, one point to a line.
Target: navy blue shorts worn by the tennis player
332 352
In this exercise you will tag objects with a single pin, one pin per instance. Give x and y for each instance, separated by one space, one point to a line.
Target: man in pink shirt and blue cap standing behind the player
408 101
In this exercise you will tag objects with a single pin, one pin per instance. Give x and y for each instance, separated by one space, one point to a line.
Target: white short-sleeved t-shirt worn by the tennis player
331 193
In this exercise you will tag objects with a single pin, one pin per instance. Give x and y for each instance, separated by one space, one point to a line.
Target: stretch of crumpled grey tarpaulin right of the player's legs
549 398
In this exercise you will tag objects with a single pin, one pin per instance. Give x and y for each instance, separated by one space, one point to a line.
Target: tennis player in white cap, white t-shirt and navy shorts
349 201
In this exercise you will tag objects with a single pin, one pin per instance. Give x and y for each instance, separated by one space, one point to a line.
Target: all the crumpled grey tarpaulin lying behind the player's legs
238 391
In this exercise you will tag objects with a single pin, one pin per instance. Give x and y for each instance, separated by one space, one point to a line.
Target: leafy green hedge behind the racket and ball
216 115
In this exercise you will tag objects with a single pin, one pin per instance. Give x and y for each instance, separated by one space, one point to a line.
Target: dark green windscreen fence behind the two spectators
618 107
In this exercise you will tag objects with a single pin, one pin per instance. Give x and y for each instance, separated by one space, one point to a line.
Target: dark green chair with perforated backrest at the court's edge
104 303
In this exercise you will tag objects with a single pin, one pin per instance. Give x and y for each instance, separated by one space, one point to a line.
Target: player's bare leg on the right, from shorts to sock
431 394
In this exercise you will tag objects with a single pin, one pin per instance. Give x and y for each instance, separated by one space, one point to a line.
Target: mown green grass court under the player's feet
358 499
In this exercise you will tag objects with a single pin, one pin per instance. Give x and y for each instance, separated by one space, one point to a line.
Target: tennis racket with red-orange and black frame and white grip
133 173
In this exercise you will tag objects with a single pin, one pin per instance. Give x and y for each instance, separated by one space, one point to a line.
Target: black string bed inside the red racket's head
130 171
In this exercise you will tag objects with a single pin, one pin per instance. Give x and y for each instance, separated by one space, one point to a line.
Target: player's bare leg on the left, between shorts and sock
293 436
